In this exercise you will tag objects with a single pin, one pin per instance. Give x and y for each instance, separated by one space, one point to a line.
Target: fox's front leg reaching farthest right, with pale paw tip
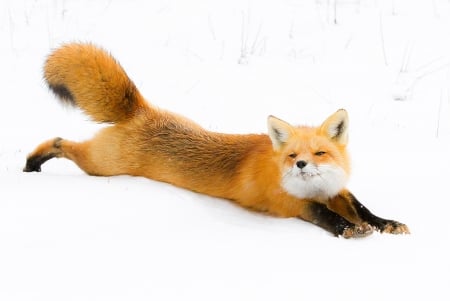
346 205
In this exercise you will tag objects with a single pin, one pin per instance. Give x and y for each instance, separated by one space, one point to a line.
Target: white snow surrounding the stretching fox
228 64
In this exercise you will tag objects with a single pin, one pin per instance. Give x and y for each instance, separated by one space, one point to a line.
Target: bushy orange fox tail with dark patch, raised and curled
90 78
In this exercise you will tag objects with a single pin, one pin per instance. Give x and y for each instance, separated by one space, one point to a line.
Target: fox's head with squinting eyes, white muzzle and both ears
313 160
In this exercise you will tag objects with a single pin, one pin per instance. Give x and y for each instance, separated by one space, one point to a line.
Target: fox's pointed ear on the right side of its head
335 127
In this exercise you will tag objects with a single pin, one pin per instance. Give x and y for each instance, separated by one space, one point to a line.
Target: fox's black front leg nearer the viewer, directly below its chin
320 215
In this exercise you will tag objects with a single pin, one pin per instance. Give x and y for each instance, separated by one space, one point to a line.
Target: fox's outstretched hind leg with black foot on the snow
57 148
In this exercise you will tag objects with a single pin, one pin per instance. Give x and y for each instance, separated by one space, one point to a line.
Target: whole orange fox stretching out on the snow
290 172
